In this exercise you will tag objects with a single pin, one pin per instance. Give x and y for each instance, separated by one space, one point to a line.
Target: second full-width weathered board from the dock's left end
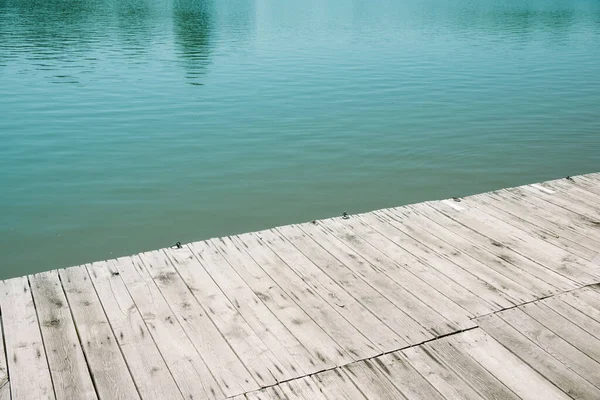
68 368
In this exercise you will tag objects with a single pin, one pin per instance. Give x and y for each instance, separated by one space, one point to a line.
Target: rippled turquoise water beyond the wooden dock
128 125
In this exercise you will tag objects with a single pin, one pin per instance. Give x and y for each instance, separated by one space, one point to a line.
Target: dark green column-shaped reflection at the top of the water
193 26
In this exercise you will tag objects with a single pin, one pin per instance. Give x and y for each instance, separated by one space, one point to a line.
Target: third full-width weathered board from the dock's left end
107 365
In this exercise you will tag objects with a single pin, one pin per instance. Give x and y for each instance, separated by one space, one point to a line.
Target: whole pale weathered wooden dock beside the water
493 296
